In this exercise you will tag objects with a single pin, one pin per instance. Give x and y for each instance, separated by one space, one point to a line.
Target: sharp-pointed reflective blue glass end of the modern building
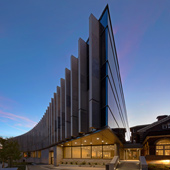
113 110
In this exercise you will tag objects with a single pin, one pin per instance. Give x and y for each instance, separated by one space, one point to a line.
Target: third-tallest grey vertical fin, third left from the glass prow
74 96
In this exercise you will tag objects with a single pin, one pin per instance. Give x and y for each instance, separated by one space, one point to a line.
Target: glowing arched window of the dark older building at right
163 147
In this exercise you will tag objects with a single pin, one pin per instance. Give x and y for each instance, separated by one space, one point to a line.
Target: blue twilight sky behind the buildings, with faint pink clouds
37 38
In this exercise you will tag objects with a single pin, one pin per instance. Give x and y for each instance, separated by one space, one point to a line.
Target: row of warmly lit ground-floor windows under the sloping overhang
99 152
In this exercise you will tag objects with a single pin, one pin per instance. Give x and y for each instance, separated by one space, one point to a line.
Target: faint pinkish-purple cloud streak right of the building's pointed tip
131 33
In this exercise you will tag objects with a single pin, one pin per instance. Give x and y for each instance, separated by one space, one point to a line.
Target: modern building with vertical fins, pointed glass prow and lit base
86 119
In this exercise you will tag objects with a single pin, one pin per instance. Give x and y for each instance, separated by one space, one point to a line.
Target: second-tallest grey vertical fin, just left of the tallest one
82 84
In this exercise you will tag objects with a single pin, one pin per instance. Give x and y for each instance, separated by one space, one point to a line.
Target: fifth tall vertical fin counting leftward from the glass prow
62 109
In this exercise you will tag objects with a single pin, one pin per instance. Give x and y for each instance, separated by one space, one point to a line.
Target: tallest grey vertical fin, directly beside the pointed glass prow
94 73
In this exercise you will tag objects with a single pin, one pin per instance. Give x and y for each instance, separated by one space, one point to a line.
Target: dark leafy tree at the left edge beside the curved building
10 151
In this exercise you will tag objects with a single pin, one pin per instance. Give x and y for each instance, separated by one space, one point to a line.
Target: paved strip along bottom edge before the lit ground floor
46 167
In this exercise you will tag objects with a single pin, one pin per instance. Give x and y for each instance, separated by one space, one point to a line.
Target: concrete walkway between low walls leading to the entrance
128 165
